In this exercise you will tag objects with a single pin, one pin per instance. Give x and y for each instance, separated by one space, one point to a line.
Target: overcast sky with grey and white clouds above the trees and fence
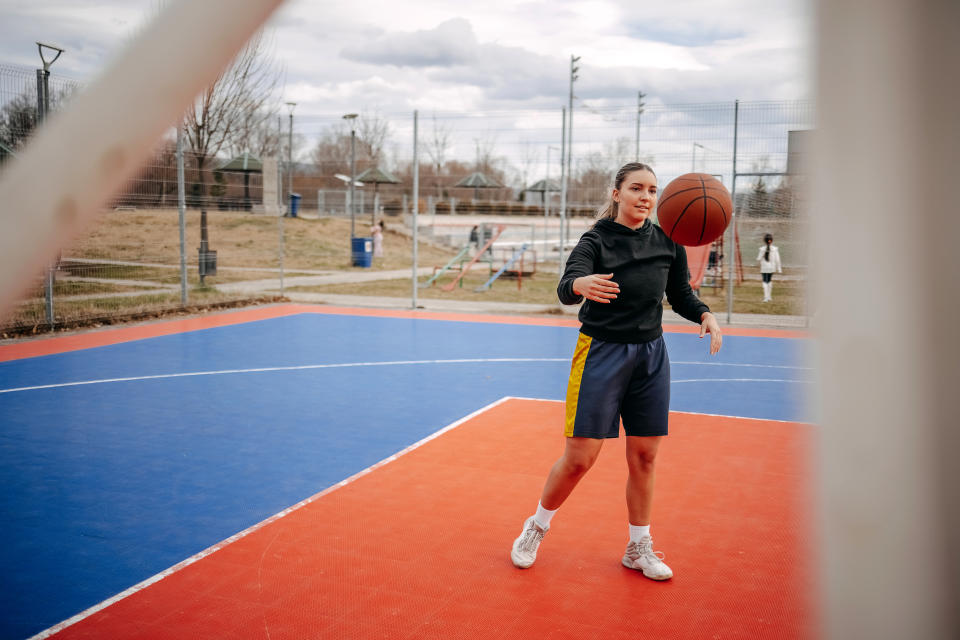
440 56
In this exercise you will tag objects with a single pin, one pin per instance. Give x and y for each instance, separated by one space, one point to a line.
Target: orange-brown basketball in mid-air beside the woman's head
694 209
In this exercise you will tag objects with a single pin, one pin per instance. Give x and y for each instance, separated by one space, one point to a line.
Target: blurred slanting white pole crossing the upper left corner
114 123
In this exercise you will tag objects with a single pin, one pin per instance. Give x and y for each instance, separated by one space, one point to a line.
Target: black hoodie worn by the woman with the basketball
646 263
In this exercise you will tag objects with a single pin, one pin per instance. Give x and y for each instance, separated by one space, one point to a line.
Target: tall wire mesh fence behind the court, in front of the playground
487 168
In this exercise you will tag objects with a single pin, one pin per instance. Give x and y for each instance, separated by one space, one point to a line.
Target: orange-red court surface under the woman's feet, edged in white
418 546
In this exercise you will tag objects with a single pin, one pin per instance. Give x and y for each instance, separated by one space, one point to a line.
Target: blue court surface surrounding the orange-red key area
120 461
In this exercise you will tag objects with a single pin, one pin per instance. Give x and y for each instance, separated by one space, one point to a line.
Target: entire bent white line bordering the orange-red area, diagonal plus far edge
69 622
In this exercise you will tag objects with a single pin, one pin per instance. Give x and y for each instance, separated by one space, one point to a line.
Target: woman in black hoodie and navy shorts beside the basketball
622 267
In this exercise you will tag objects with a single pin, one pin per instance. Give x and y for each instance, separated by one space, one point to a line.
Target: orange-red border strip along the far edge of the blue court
115 335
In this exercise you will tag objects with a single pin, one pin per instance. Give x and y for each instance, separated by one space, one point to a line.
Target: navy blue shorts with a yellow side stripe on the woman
610 381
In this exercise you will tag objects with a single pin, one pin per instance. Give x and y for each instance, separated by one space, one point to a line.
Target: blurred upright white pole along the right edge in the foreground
885 230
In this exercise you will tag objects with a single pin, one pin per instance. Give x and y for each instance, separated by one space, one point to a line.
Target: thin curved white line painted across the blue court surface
305 367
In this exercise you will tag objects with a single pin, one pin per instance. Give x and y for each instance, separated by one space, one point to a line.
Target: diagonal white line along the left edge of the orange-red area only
209 550
